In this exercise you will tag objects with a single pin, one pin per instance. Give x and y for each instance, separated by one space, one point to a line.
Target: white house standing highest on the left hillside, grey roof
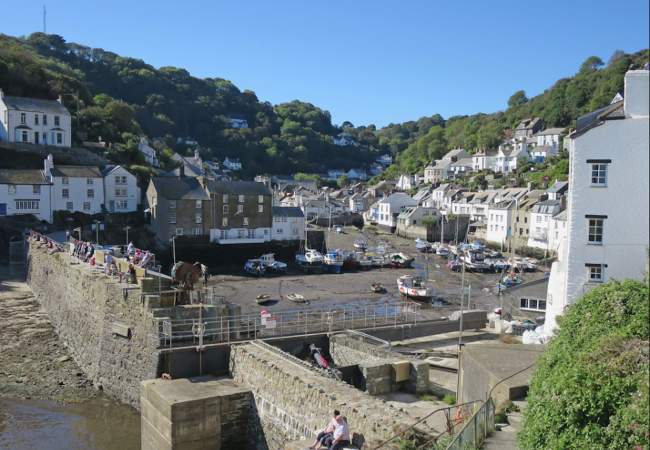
35 121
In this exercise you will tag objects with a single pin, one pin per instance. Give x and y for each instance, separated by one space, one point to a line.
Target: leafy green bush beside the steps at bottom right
590 389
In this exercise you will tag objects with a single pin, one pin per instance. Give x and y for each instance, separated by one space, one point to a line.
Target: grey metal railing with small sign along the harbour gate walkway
178 332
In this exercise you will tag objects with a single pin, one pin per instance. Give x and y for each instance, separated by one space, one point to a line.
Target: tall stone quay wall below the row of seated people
104 327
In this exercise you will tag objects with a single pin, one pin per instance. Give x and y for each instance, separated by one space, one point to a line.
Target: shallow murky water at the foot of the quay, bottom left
100 424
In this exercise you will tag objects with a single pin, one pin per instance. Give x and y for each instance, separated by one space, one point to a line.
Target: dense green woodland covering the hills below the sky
121 98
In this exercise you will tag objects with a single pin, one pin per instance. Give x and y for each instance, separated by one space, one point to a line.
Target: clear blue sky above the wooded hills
366 62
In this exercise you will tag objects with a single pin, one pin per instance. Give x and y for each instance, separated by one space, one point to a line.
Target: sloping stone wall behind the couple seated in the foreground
292 402
